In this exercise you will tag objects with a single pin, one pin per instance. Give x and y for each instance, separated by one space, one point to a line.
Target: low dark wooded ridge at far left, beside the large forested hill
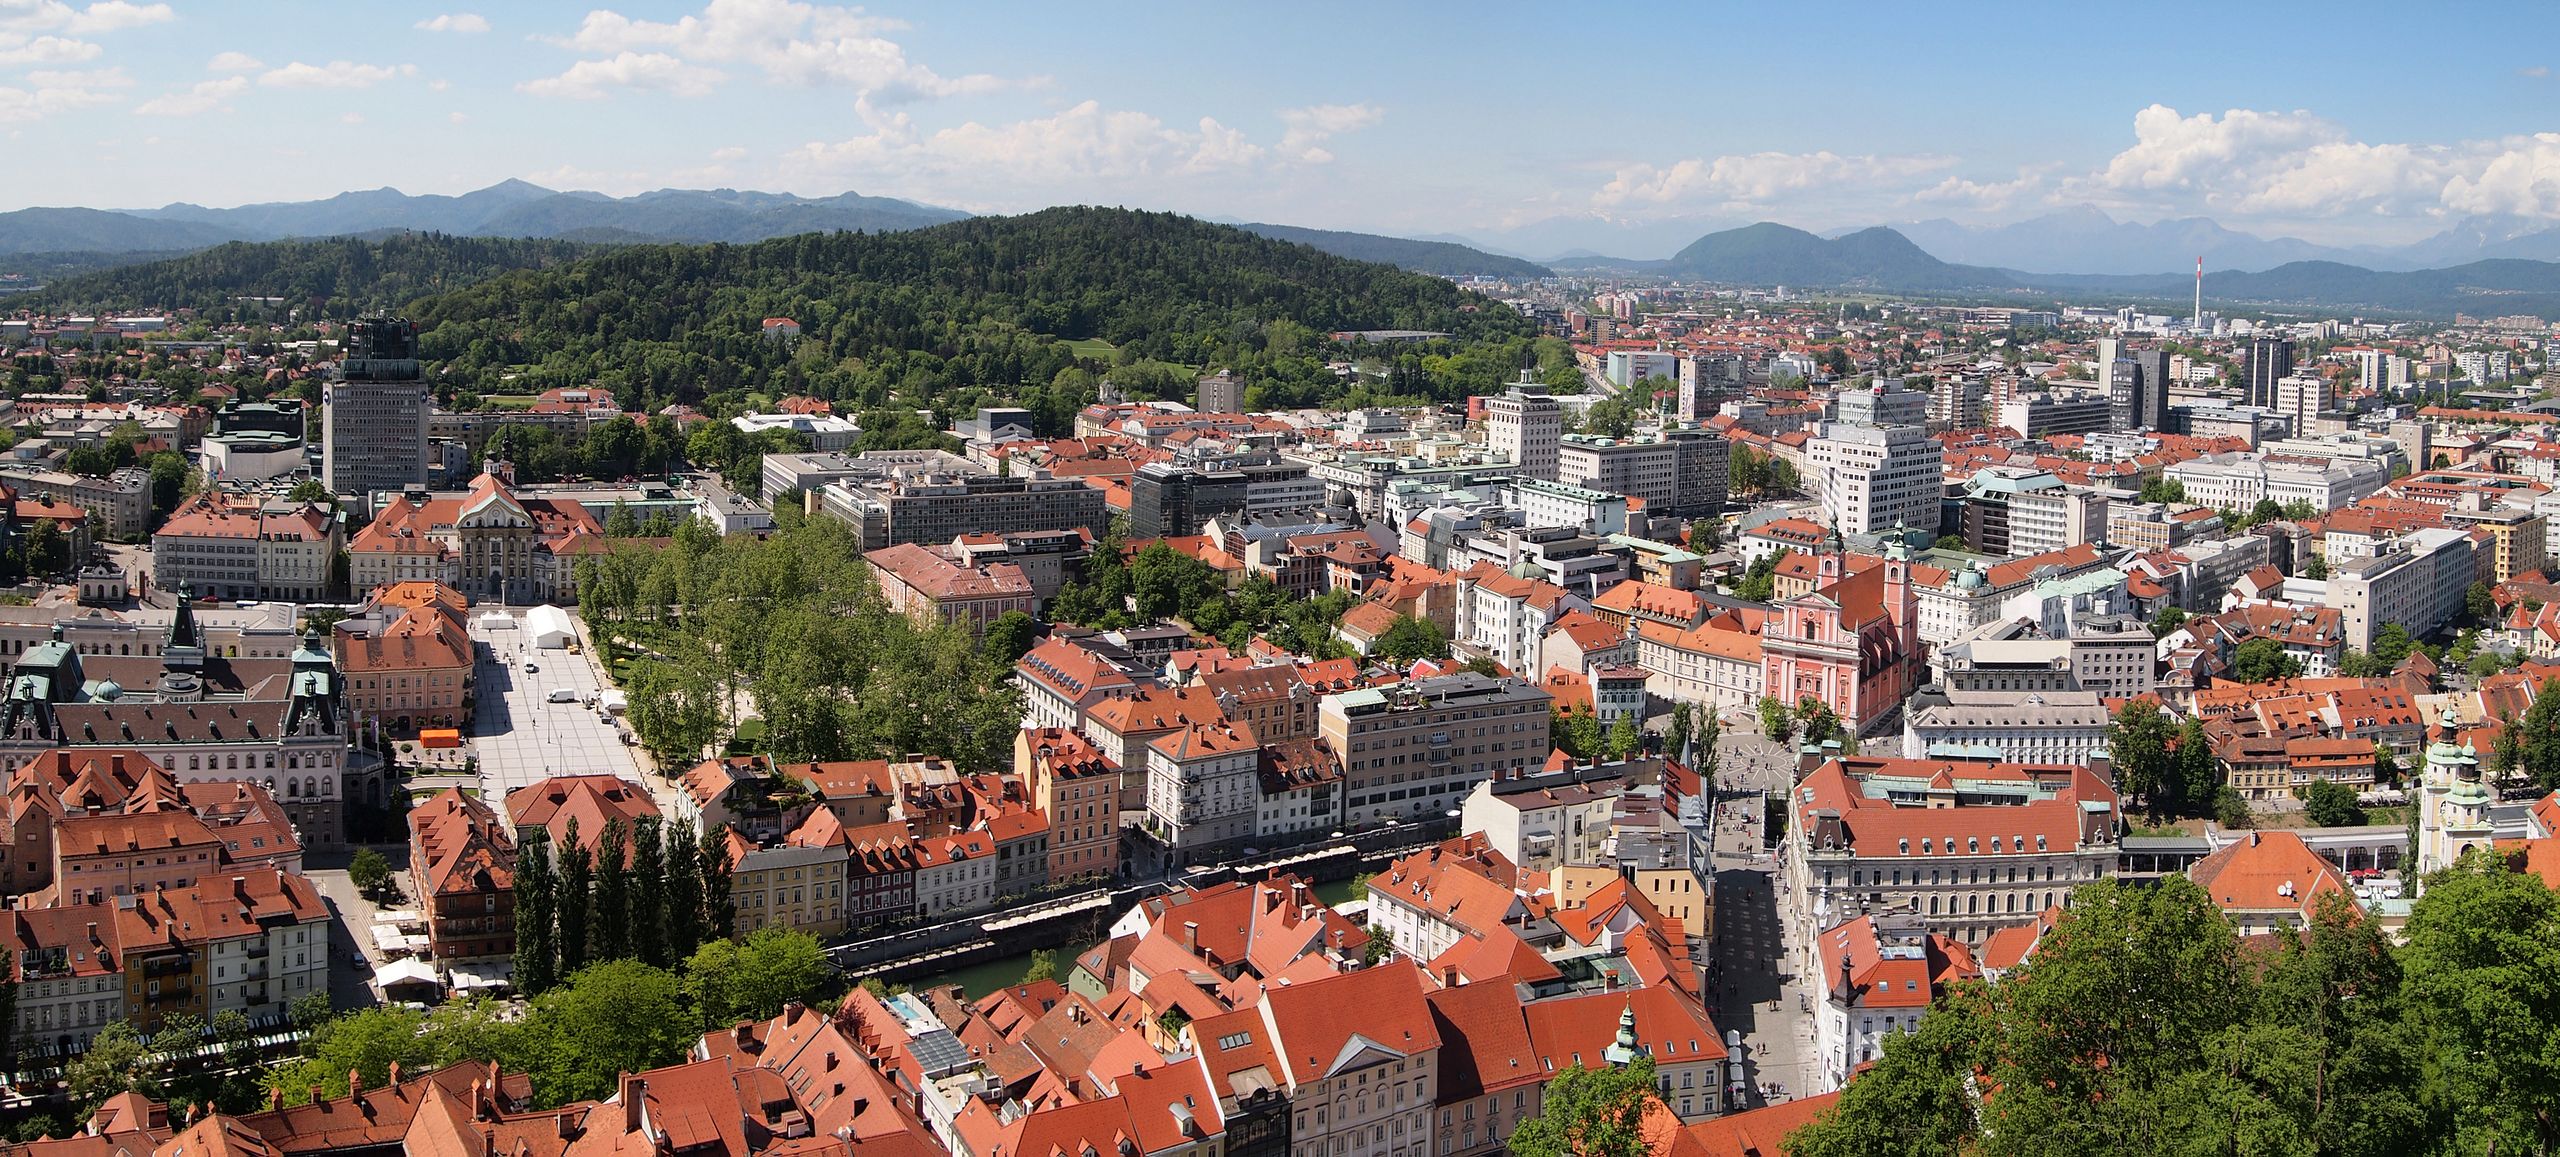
342 278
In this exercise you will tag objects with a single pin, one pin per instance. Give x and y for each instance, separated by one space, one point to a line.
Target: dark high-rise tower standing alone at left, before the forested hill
375 413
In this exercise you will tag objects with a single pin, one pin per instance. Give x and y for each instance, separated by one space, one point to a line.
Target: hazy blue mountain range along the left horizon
500 211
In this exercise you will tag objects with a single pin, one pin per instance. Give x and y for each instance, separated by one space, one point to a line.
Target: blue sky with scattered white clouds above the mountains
2339 122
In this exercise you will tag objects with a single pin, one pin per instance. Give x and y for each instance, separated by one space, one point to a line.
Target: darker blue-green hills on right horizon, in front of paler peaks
1888 262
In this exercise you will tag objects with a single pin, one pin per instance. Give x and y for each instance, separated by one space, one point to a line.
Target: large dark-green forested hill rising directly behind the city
977 303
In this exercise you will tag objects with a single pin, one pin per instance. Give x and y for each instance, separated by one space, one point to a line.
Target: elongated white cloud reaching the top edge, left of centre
790 42
